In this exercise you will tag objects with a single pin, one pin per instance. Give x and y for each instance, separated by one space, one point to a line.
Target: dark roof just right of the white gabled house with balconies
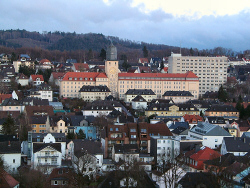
91 146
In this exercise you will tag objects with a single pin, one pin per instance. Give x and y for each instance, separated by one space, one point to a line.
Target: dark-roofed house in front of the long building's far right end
178 96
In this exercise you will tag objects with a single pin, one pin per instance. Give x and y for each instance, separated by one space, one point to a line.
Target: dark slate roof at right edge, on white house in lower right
237 144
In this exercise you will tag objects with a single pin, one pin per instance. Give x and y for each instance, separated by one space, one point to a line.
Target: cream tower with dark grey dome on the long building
111 69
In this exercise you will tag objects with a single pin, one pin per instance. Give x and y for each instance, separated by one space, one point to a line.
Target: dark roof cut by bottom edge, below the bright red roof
195 179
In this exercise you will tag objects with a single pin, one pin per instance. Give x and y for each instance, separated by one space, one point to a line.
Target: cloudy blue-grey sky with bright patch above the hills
202 24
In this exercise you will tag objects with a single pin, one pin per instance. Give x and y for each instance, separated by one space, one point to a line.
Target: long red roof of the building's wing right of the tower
189 74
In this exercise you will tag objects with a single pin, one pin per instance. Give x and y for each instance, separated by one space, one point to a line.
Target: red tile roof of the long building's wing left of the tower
85 76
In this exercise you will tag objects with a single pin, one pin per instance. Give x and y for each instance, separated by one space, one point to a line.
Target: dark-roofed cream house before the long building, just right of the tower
147 94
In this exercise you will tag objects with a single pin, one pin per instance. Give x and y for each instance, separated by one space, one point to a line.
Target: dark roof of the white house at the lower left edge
10 147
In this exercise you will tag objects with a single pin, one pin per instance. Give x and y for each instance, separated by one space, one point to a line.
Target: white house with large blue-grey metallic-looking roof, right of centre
212 135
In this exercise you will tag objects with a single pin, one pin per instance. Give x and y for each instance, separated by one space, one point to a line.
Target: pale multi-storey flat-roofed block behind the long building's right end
212 71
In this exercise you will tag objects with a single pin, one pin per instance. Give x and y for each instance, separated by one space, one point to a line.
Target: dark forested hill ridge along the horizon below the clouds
69 41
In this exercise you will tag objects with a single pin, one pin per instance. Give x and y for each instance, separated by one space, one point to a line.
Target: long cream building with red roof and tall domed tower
120 83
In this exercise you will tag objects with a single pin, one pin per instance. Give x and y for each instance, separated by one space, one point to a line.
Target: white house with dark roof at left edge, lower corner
10 153
